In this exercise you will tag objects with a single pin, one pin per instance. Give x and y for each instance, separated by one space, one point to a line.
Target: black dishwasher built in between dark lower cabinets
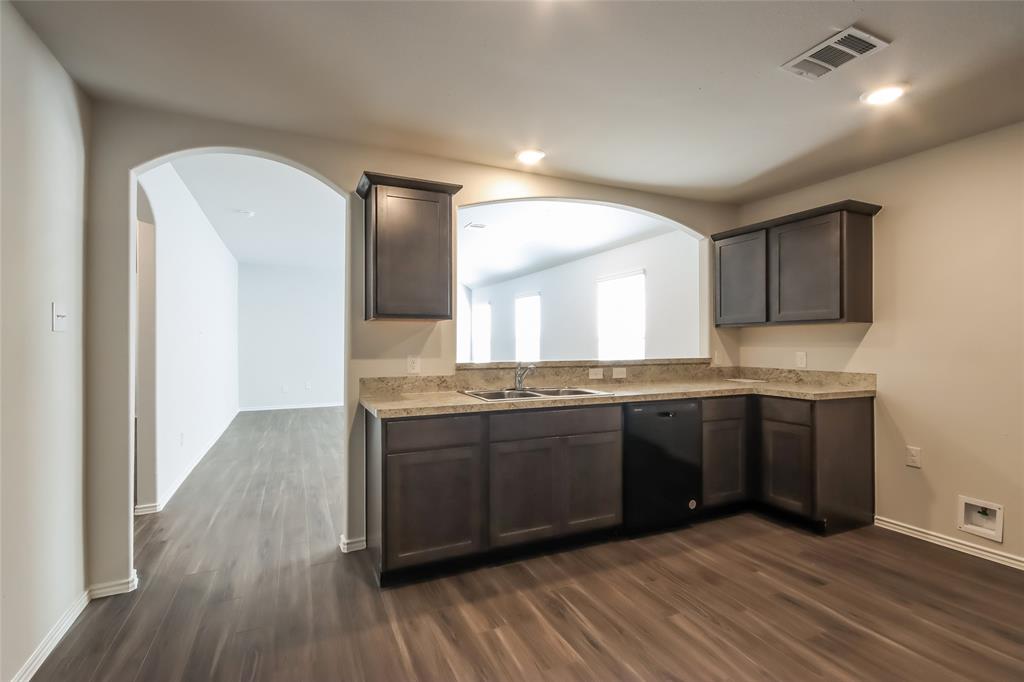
661 464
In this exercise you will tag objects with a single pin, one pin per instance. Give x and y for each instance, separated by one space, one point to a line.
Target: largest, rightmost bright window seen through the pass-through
622 320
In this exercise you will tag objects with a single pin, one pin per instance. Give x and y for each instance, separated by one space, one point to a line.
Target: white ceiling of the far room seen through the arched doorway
300 222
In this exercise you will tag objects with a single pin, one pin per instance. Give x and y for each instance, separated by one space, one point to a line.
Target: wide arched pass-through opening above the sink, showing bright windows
567 280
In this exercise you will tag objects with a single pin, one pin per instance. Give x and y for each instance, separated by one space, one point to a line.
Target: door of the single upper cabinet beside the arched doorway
412 273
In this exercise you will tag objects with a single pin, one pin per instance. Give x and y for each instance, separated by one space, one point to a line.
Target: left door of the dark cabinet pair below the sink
527 485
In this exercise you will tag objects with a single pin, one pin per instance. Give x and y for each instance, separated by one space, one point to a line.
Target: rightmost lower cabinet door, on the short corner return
787 458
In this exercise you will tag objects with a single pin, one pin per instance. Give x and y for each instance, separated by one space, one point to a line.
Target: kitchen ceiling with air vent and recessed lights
680 98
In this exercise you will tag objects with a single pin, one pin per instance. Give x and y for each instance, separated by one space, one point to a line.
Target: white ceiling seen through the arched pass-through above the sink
525 237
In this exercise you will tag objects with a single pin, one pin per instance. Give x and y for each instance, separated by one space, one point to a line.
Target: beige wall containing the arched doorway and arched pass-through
125 138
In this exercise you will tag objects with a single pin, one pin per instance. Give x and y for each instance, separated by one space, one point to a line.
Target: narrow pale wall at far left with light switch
41 400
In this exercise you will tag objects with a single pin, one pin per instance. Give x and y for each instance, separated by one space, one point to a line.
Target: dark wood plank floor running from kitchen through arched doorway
242 580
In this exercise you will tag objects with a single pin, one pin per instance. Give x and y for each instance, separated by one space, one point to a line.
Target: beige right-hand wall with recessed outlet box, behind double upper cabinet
947 342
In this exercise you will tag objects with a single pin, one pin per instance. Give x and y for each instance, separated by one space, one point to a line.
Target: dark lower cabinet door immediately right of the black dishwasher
724 467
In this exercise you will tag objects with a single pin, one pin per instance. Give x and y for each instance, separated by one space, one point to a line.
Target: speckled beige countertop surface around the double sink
452 403
